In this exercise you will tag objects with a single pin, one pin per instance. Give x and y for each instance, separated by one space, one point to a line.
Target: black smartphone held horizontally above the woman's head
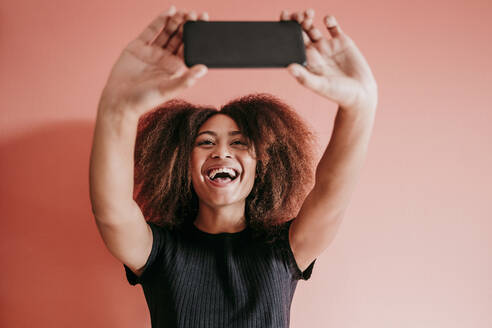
243 44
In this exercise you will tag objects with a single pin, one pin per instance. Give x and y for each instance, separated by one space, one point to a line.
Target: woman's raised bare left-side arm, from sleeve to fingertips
149 72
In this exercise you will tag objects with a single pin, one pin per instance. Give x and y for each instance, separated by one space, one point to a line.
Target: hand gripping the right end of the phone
335 69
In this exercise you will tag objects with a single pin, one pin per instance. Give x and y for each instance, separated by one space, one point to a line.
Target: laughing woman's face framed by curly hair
220 144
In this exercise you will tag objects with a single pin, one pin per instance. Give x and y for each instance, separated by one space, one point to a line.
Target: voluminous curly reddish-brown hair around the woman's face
285 152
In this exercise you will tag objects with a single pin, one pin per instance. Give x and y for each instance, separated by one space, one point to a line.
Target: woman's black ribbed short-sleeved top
196 279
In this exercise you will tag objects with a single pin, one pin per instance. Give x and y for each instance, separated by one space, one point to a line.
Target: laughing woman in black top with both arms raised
209 236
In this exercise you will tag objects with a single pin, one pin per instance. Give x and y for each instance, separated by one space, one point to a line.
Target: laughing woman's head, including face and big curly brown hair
257 135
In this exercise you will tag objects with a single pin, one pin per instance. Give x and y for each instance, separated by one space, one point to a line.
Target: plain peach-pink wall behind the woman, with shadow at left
414 248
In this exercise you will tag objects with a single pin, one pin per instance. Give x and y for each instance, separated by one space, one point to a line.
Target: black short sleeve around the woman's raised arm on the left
159 239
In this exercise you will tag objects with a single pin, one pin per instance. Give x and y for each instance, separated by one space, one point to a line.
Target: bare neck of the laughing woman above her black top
229 218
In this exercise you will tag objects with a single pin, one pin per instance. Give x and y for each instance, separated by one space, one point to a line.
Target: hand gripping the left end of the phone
151 69
